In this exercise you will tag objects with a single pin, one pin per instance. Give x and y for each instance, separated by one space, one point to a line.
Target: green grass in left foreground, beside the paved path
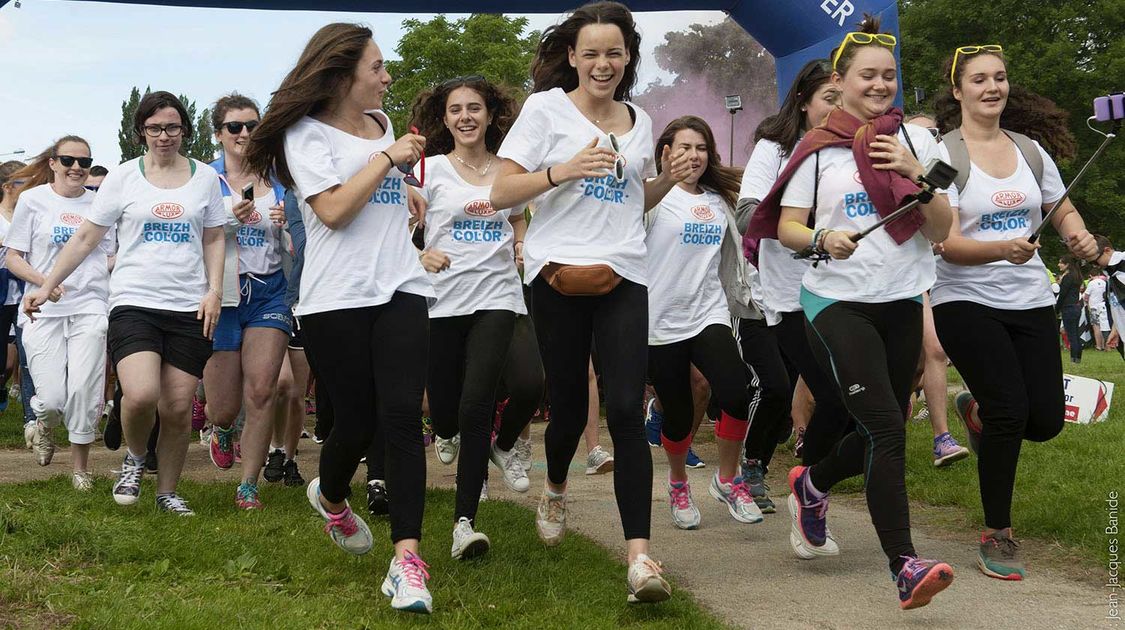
79 560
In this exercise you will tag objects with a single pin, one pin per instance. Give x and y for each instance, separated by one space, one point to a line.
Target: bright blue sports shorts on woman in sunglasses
262 307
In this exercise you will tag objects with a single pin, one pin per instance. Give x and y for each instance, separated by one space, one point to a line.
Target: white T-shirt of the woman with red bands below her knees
685 242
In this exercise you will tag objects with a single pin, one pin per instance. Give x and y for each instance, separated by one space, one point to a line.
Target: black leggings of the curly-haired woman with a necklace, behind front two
467 356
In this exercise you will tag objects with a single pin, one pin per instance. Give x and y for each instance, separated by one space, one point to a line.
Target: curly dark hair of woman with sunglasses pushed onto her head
428 113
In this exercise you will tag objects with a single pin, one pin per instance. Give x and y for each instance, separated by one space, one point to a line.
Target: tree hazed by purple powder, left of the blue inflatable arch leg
709 64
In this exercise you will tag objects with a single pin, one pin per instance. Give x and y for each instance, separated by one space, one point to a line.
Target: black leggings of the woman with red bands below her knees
715 353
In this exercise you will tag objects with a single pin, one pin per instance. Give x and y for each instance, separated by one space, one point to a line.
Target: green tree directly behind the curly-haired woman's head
439 50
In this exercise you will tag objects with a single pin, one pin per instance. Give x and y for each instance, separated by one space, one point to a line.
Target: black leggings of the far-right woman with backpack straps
1011 363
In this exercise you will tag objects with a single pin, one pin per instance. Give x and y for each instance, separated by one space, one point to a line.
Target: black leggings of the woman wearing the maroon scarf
874 352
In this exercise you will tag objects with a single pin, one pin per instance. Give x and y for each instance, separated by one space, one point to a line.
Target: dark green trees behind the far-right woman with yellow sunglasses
1069 51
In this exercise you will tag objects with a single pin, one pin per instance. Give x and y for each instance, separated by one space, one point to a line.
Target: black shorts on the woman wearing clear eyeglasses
177 337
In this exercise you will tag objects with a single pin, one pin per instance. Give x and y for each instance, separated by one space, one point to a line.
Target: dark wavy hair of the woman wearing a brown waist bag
552 67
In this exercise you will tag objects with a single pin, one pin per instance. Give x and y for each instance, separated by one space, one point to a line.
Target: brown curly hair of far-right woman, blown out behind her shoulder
1025 113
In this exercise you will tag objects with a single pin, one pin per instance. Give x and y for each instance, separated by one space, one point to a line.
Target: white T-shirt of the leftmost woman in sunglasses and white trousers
43 223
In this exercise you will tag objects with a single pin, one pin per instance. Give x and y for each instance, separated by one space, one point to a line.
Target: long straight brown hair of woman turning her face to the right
326 68
